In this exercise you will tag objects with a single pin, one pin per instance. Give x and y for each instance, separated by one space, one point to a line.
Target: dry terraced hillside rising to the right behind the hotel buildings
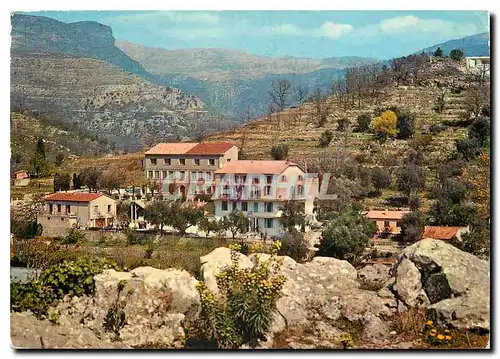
299 127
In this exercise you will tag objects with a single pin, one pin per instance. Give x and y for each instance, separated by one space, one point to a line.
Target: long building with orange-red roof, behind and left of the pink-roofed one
187 169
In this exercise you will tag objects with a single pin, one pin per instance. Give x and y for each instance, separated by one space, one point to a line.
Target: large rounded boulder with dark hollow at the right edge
453 284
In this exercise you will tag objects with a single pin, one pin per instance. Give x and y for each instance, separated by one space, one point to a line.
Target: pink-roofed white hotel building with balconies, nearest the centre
259 189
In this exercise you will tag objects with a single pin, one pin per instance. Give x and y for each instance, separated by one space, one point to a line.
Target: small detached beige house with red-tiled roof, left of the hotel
64 210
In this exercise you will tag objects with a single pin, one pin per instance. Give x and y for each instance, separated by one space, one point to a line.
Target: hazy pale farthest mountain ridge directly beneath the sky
226 64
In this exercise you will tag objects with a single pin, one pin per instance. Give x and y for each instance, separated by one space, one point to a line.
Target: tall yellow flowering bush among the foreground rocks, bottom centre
242 312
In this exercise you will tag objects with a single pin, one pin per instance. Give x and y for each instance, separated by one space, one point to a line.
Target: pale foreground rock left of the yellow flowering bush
158 302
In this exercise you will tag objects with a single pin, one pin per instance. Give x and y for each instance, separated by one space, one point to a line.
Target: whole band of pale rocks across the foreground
323 301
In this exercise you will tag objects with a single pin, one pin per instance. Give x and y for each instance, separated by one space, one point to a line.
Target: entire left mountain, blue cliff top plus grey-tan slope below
75 73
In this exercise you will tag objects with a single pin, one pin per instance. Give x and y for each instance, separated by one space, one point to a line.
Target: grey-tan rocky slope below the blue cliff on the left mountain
104 99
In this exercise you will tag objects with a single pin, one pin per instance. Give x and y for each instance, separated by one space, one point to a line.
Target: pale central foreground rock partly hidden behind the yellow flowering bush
322 301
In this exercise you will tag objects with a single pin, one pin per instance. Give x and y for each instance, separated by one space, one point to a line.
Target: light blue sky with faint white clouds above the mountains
313 34
